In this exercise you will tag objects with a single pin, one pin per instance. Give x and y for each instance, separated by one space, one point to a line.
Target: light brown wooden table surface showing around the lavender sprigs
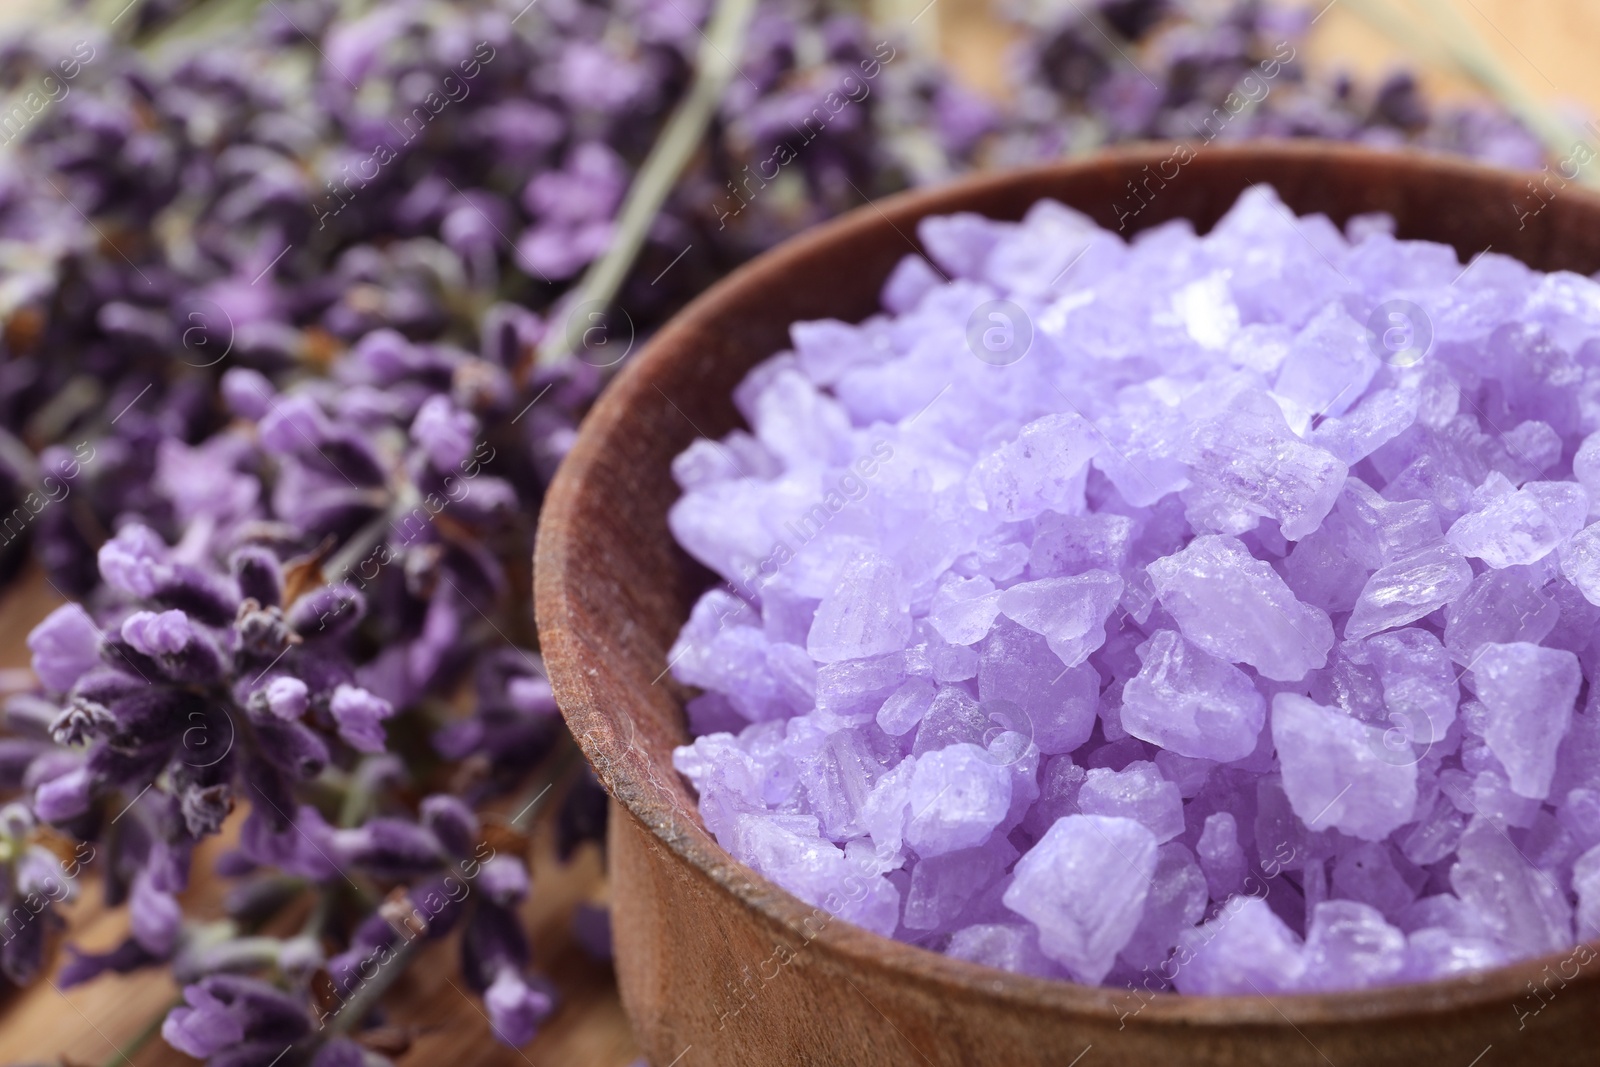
1550 46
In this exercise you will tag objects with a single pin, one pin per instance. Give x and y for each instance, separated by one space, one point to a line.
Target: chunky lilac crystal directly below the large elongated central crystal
1193 703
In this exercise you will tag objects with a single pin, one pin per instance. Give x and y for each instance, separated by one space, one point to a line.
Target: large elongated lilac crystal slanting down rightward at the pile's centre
1238 609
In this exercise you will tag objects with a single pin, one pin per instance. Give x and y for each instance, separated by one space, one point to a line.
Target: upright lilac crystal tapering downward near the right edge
1529 693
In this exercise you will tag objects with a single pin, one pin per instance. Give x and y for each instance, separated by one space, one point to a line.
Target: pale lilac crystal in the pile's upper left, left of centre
1039 471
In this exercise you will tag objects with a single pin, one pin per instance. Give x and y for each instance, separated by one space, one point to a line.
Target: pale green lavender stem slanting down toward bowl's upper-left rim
714 68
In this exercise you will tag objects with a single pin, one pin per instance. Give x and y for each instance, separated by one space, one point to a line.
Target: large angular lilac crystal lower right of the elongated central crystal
1338 772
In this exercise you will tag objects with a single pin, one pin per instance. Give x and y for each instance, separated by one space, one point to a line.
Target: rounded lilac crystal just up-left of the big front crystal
958 797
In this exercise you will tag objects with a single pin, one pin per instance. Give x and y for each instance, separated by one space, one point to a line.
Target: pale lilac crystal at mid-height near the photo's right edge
1511 527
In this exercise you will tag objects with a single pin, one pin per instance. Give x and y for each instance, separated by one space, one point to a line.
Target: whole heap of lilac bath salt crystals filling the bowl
1230 641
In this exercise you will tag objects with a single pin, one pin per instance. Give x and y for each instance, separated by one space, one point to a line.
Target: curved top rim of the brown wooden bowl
622 764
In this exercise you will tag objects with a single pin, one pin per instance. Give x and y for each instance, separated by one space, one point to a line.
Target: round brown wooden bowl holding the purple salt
719 965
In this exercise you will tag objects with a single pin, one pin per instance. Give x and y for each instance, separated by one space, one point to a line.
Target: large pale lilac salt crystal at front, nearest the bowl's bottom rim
1084 885
